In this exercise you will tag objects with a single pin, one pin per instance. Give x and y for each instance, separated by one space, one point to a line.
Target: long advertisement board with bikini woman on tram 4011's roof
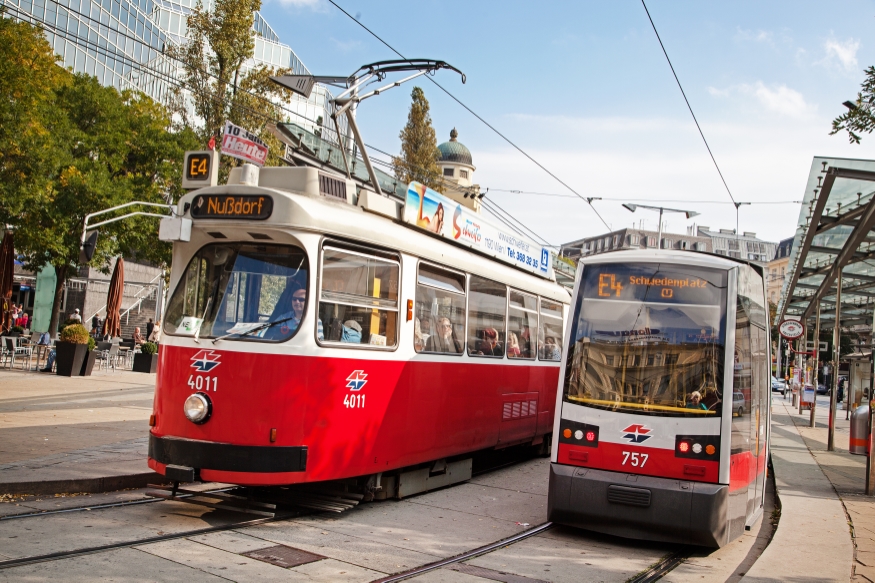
439 214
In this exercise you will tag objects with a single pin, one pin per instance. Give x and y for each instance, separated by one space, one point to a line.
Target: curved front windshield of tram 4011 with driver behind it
241 291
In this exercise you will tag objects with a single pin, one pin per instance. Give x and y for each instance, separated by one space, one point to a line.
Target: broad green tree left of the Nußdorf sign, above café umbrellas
111 148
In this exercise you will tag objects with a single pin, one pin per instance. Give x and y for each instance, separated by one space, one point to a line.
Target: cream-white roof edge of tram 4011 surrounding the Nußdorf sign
339 219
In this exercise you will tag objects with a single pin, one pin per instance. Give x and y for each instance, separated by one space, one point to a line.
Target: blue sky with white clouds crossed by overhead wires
584 88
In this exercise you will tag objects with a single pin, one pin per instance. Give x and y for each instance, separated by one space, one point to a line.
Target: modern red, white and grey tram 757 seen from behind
662 414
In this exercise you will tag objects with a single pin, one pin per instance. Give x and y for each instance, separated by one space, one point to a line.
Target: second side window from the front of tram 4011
440 311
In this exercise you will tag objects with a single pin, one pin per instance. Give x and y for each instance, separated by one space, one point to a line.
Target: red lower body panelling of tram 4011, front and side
354 416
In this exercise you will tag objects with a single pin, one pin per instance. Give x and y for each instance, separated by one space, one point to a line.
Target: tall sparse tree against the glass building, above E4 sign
220 88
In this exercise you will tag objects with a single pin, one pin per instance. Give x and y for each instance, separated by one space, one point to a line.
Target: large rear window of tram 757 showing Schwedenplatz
649 338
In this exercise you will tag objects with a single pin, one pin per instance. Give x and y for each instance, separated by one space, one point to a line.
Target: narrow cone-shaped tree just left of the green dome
419 154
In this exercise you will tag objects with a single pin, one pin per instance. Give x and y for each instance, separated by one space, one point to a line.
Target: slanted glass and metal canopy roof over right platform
834 238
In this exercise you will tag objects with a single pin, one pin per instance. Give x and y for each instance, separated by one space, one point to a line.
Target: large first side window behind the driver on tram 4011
358 301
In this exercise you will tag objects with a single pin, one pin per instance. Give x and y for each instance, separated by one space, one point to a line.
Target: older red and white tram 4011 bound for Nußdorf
308 338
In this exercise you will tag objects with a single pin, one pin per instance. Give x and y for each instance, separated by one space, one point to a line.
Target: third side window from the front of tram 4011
487 314
